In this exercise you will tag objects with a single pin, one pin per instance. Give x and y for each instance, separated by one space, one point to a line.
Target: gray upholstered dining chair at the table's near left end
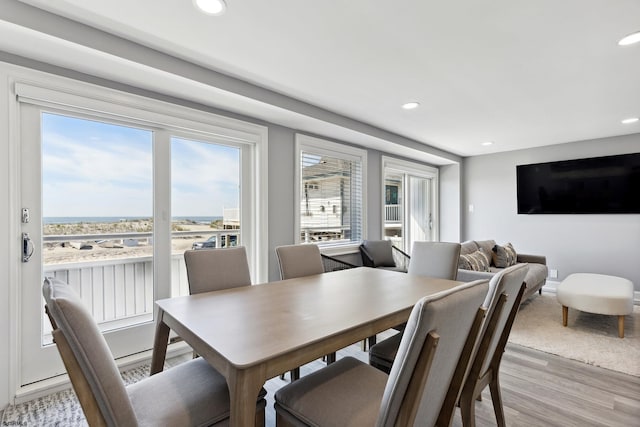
190 394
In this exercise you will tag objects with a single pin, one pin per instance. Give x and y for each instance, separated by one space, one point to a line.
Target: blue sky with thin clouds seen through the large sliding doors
90 168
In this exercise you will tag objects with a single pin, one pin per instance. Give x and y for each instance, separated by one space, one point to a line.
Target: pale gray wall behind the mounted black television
606 244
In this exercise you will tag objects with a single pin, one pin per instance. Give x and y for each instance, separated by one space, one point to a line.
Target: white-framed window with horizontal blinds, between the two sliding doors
330 192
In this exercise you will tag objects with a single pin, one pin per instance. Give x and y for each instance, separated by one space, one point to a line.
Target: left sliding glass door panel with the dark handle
87 189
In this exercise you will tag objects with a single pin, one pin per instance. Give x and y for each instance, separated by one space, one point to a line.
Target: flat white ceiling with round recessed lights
518 73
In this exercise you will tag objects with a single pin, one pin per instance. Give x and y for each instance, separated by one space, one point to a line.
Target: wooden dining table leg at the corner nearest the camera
244 386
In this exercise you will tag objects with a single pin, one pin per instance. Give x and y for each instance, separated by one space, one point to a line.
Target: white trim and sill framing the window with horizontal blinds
333 149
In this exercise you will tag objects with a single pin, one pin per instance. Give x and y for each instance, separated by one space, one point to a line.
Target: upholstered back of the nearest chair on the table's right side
434 339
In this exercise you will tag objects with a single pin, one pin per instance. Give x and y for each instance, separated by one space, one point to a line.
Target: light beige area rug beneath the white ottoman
589 338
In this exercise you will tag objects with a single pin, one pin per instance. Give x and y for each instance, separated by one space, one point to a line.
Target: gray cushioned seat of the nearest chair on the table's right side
318 398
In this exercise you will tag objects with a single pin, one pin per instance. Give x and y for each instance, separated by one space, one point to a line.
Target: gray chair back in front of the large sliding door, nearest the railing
215 269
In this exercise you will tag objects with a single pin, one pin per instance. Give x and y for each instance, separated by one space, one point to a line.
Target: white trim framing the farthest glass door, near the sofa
416 169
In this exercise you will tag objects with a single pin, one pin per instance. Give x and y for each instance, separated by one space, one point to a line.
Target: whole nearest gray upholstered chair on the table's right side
433 356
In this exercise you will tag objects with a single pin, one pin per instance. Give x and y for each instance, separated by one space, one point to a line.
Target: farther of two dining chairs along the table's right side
485 366
